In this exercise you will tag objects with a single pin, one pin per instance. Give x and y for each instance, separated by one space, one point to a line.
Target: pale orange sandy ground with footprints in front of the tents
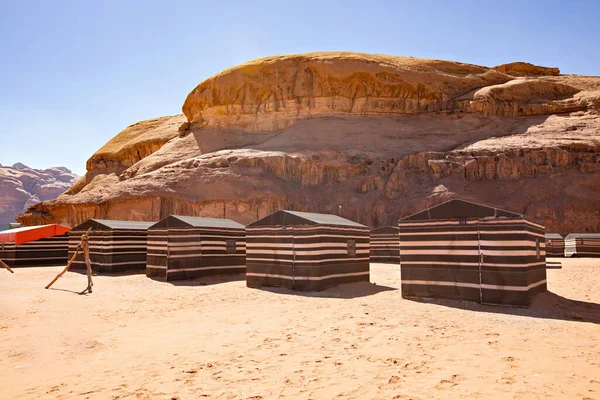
136 338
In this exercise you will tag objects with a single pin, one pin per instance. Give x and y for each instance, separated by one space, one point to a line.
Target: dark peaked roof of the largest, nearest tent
459 209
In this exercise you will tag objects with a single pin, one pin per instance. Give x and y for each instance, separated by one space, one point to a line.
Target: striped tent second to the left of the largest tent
181 247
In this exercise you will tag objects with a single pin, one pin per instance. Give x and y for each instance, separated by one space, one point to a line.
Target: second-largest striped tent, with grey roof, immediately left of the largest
306 251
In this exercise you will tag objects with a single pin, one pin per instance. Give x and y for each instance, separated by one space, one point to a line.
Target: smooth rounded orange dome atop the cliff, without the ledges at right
272 93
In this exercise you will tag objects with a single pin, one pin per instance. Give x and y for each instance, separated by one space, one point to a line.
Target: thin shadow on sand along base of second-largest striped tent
345 291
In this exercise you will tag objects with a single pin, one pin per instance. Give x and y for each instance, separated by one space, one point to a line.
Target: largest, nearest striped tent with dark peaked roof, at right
469 251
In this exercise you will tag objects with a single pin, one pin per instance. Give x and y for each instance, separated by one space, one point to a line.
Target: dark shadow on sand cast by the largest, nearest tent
545 305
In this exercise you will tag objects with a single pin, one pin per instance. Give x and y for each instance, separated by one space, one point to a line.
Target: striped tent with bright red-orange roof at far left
34 246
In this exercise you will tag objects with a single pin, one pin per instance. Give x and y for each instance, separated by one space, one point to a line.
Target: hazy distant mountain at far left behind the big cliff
22 187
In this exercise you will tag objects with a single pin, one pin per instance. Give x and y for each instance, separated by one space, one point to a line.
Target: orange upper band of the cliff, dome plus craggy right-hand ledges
270 94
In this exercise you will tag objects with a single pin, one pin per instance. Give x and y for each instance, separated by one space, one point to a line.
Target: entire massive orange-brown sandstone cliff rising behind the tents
381 136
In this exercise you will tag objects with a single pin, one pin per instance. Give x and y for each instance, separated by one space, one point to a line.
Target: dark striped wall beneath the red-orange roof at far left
50 251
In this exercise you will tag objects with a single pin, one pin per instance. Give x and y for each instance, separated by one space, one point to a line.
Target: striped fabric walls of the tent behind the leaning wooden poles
113 250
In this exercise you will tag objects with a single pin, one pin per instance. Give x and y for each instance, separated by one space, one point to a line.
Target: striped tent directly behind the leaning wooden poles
115 246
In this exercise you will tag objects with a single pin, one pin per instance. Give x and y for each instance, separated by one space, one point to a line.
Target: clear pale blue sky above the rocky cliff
75 73
